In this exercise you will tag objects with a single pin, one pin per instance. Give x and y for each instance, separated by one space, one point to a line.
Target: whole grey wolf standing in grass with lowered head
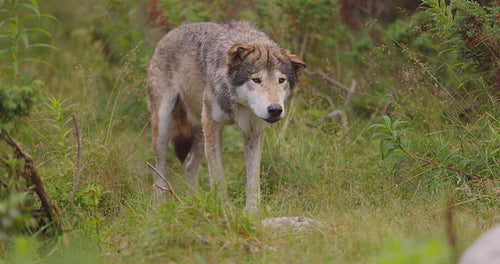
204 76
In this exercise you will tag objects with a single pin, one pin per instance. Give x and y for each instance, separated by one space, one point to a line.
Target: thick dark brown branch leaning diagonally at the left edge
32 177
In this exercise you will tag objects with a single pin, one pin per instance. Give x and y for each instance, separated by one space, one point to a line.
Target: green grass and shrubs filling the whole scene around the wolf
414 65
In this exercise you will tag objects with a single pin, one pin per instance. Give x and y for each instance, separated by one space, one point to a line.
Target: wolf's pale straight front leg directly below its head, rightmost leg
253 152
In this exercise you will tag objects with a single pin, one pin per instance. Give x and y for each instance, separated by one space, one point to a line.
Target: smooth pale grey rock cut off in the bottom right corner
485 250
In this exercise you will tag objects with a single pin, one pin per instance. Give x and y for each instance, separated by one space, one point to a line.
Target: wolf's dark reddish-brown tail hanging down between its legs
182 131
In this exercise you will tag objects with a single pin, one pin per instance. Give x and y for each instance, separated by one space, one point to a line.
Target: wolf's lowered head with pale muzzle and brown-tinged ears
263 77
